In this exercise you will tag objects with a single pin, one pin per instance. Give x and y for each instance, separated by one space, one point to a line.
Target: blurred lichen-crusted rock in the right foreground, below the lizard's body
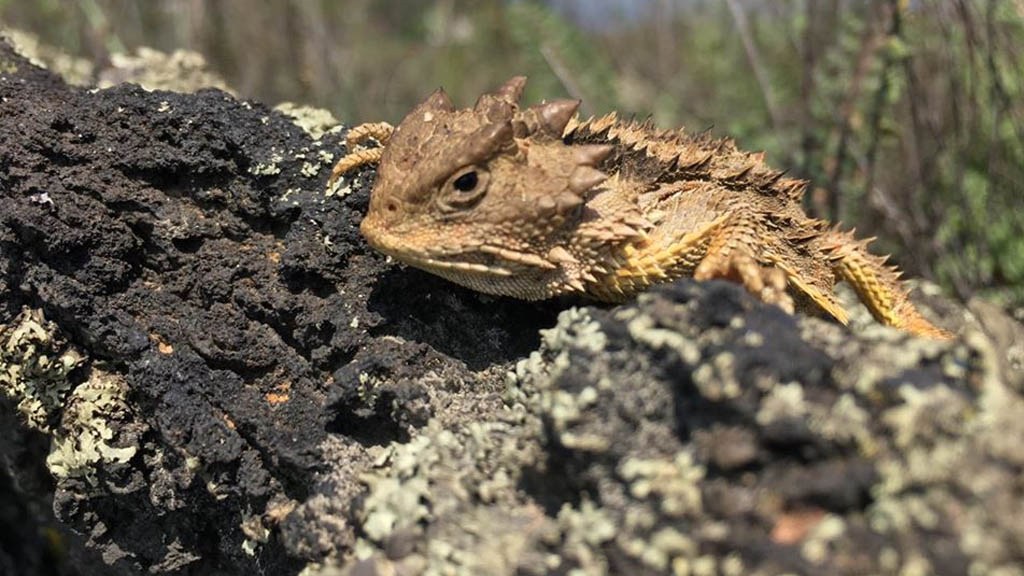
699 432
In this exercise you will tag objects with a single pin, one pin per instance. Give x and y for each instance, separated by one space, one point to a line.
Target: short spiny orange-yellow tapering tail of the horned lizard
877 284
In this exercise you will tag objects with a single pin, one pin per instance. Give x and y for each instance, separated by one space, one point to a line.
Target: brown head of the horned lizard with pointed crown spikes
487 196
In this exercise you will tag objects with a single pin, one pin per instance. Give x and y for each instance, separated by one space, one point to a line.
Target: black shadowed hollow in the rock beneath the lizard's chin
478 330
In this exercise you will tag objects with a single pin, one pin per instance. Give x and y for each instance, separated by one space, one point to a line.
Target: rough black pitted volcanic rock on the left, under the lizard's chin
184 244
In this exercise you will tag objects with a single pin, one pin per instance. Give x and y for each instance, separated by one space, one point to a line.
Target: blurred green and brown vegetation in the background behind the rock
908 116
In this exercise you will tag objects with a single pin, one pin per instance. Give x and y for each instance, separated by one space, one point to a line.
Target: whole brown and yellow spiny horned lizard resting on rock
537 202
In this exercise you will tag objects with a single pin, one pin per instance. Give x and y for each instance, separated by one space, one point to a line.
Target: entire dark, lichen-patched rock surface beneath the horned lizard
204 371
